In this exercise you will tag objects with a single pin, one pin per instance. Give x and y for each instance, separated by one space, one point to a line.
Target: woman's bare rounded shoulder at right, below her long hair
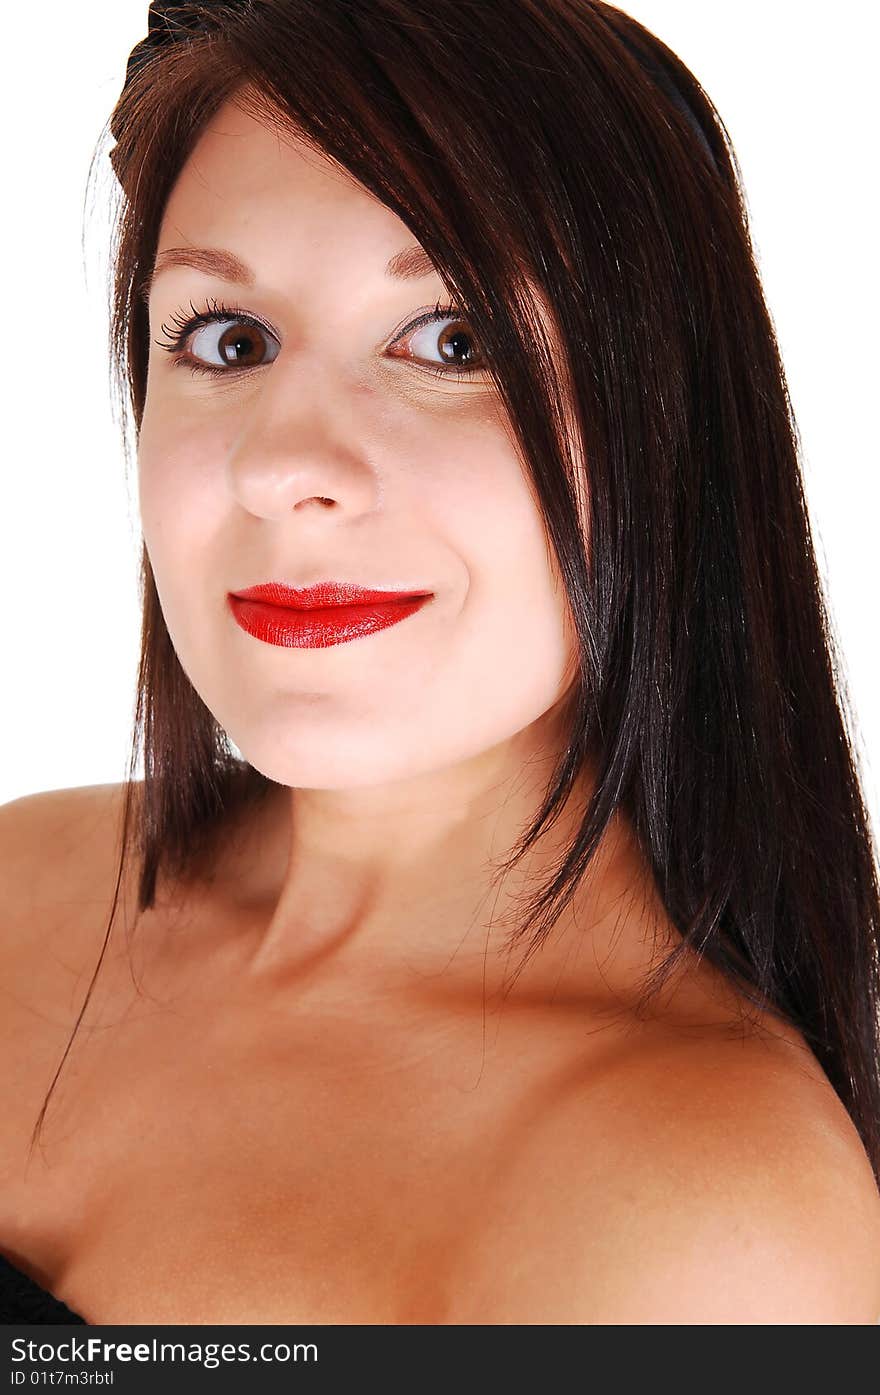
712 1182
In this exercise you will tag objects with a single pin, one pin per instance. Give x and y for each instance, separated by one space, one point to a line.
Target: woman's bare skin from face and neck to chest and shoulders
313 1089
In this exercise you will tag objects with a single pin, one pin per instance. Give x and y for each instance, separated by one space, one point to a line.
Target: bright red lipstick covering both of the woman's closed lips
316 617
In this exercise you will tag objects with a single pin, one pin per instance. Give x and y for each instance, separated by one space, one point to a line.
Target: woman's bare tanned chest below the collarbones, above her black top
200 1168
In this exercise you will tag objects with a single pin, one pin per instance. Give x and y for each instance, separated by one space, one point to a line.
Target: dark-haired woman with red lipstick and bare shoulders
500 948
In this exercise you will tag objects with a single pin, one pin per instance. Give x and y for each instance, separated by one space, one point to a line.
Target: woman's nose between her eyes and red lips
301 450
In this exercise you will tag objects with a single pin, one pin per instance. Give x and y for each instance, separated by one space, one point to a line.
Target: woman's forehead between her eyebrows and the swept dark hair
263 193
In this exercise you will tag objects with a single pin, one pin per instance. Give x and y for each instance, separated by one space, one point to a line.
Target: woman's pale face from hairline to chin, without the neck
335 453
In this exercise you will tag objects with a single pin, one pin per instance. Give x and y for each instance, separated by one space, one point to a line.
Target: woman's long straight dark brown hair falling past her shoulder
559 147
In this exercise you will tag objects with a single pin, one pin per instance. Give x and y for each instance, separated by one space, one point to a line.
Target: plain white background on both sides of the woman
796 91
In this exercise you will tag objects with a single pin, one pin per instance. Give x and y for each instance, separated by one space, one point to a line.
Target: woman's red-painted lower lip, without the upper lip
320 628
